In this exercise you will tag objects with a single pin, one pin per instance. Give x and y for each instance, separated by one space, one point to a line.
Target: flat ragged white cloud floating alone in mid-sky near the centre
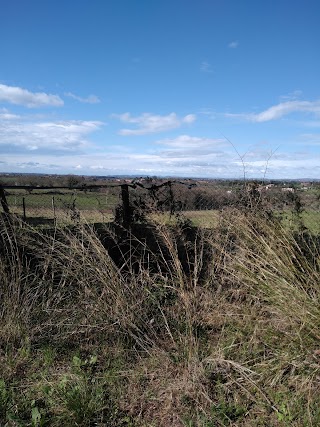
148 123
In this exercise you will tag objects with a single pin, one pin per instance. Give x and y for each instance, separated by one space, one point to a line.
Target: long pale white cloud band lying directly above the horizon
215 161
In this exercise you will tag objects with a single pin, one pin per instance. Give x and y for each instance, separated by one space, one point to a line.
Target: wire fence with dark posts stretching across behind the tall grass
200 202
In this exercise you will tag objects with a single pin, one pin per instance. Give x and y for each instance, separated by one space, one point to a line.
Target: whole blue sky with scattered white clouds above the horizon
206 88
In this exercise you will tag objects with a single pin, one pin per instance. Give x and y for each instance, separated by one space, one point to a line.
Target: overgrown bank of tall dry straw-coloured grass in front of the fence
168 326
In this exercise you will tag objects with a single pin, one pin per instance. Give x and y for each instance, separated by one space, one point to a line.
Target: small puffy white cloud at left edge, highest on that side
18 96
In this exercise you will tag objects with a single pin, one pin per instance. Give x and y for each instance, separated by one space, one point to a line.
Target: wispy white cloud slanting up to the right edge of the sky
280 110
